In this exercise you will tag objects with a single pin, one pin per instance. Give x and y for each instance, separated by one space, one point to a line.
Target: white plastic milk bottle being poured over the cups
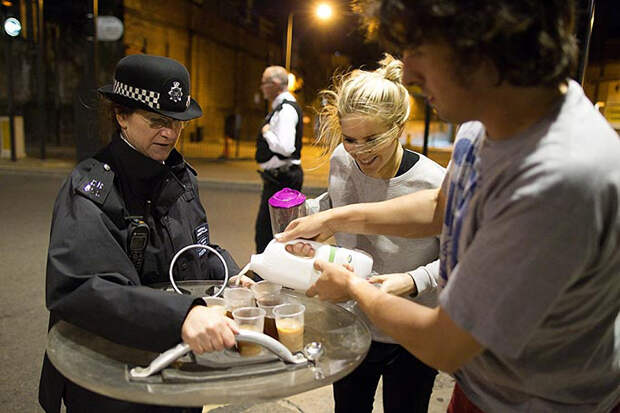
279 266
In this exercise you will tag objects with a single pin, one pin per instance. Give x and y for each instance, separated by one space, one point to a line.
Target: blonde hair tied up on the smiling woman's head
379 95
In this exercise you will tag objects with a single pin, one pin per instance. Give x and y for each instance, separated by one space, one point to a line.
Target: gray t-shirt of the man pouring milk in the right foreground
530 250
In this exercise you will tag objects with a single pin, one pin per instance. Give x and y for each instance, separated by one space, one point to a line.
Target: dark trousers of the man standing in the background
274 180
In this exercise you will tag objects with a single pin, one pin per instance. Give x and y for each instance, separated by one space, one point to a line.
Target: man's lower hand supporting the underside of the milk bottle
335 282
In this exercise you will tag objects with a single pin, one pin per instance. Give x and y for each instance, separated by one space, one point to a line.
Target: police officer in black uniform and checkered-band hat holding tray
118 221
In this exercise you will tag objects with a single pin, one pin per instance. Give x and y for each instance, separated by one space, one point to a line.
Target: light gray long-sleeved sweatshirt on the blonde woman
349 185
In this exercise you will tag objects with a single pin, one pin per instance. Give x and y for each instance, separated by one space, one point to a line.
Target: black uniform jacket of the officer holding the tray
92 283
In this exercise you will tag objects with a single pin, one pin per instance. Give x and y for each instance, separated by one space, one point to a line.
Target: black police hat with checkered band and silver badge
155 84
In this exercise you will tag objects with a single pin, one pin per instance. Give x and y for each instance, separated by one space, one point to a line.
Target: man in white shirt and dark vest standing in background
278 147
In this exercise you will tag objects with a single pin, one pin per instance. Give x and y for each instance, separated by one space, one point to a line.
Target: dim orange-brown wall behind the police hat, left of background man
225 61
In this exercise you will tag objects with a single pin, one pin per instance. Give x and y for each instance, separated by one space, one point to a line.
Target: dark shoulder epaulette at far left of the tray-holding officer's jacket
97 180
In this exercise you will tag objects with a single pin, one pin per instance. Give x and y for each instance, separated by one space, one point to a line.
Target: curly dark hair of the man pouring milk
531 42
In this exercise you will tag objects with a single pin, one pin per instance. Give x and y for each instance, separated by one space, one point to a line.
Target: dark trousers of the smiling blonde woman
407 382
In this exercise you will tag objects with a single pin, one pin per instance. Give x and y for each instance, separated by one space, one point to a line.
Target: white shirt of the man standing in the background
281 134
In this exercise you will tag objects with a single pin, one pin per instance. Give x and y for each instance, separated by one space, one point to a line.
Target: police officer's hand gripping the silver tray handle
206 329
